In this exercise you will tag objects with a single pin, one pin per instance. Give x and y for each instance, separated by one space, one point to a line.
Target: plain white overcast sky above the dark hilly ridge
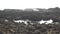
22 4
